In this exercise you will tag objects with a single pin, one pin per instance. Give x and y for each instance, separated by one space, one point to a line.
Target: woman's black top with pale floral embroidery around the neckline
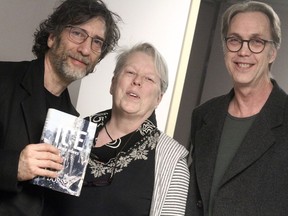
120 175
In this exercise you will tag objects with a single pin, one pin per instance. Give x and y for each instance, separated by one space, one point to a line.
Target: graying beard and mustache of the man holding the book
59 60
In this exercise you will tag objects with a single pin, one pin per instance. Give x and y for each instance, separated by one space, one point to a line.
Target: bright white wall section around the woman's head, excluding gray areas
160 22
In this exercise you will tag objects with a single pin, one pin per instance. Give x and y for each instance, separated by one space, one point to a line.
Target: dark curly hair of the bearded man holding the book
76 12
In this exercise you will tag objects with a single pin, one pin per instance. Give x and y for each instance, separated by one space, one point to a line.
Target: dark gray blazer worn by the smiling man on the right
256 182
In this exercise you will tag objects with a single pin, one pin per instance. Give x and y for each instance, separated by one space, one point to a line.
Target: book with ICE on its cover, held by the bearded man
73 136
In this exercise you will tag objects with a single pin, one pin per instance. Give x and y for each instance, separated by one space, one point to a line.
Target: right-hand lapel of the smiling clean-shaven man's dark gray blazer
261 135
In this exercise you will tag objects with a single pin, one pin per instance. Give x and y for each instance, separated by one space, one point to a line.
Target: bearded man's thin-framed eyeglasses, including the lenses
79 35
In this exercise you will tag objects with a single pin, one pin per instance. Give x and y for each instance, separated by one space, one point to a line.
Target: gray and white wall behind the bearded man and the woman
160 22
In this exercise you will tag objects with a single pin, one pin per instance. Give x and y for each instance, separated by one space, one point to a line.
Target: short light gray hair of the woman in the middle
159 62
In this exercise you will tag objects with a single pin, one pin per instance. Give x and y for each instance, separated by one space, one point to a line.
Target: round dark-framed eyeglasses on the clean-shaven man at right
255 45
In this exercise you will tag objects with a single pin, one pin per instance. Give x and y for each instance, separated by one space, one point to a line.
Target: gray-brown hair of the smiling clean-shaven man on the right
253 6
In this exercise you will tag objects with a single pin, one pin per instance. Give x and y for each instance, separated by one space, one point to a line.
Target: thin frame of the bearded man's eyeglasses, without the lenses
103 47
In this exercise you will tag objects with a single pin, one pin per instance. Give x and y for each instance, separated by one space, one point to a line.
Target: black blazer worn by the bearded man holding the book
22 115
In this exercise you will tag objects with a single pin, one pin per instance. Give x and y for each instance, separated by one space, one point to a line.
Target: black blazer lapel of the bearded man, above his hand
34 105
